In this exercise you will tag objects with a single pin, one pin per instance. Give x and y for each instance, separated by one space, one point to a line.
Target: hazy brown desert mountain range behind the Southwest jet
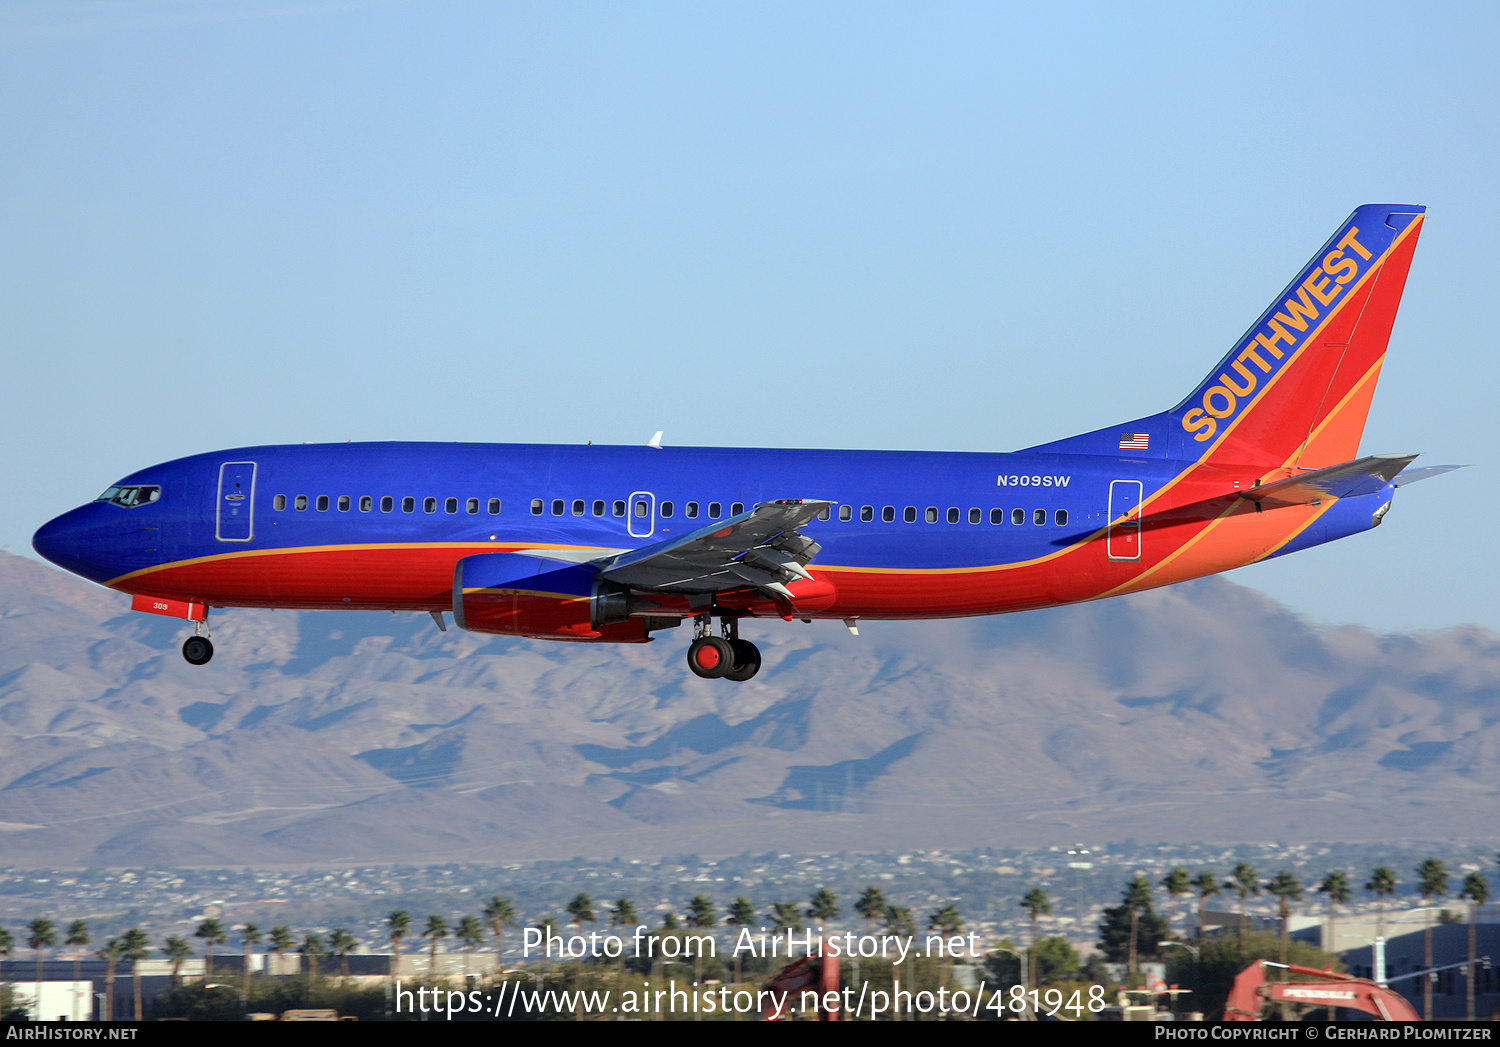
1198 713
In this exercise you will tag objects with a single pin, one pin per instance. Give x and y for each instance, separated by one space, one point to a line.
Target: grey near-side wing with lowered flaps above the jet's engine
758 550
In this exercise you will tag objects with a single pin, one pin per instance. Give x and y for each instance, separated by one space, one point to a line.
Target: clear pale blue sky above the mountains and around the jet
952 227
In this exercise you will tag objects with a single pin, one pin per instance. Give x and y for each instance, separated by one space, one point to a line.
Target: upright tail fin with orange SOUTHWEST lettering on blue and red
1297 388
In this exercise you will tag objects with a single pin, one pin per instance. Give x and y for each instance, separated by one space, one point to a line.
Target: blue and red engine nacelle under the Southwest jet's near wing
515 595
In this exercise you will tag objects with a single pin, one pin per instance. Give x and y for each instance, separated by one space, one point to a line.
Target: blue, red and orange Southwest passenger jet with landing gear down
595 544
